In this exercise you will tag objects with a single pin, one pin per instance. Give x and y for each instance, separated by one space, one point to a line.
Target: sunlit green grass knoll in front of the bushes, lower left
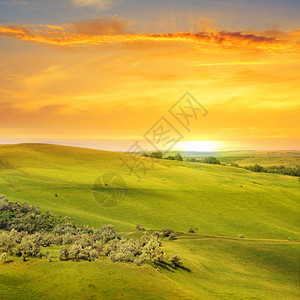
101 279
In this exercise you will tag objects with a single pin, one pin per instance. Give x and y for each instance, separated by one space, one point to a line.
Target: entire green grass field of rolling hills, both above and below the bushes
221 201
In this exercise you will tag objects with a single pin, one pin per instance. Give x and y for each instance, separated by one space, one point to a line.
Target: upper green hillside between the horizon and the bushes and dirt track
209 197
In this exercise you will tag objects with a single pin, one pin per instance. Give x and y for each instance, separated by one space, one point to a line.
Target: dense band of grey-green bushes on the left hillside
30 230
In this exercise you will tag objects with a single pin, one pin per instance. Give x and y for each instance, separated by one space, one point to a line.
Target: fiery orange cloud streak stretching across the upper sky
114 30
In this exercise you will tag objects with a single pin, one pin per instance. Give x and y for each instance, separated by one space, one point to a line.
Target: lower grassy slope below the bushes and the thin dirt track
216 268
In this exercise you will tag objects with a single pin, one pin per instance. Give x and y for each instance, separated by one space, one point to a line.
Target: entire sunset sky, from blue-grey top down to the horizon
104 73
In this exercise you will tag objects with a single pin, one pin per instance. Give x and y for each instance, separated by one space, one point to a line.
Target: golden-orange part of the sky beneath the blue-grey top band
83 82
